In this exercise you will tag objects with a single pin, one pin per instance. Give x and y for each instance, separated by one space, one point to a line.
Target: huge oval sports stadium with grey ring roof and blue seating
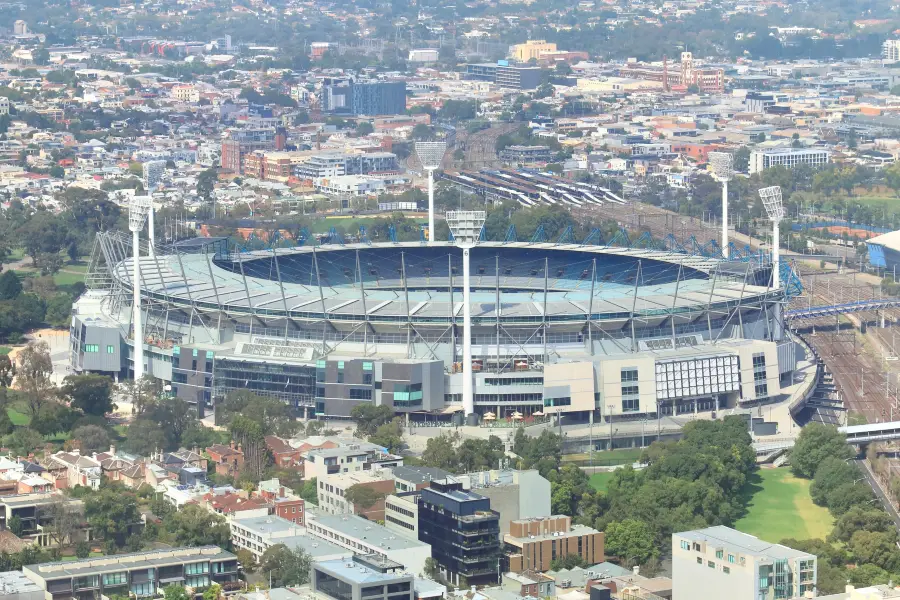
620 329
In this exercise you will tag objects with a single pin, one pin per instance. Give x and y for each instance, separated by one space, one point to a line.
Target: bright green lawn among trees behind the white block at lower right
779 507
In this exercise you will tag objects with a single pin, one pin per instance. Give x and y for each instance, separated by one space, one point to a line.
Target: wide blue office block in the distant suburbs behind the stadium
365 98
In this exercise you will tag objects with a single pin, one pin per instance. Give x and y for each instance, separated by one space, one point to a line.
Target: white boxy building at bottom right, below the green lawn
719 562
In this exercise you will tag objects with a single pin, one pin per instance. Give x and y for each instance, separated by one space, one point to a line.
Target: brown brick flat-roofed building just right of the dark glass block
532 544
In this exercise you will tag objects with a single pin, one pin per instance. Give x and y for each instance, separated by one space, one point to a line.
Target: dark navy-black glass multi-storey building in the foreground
463 533
